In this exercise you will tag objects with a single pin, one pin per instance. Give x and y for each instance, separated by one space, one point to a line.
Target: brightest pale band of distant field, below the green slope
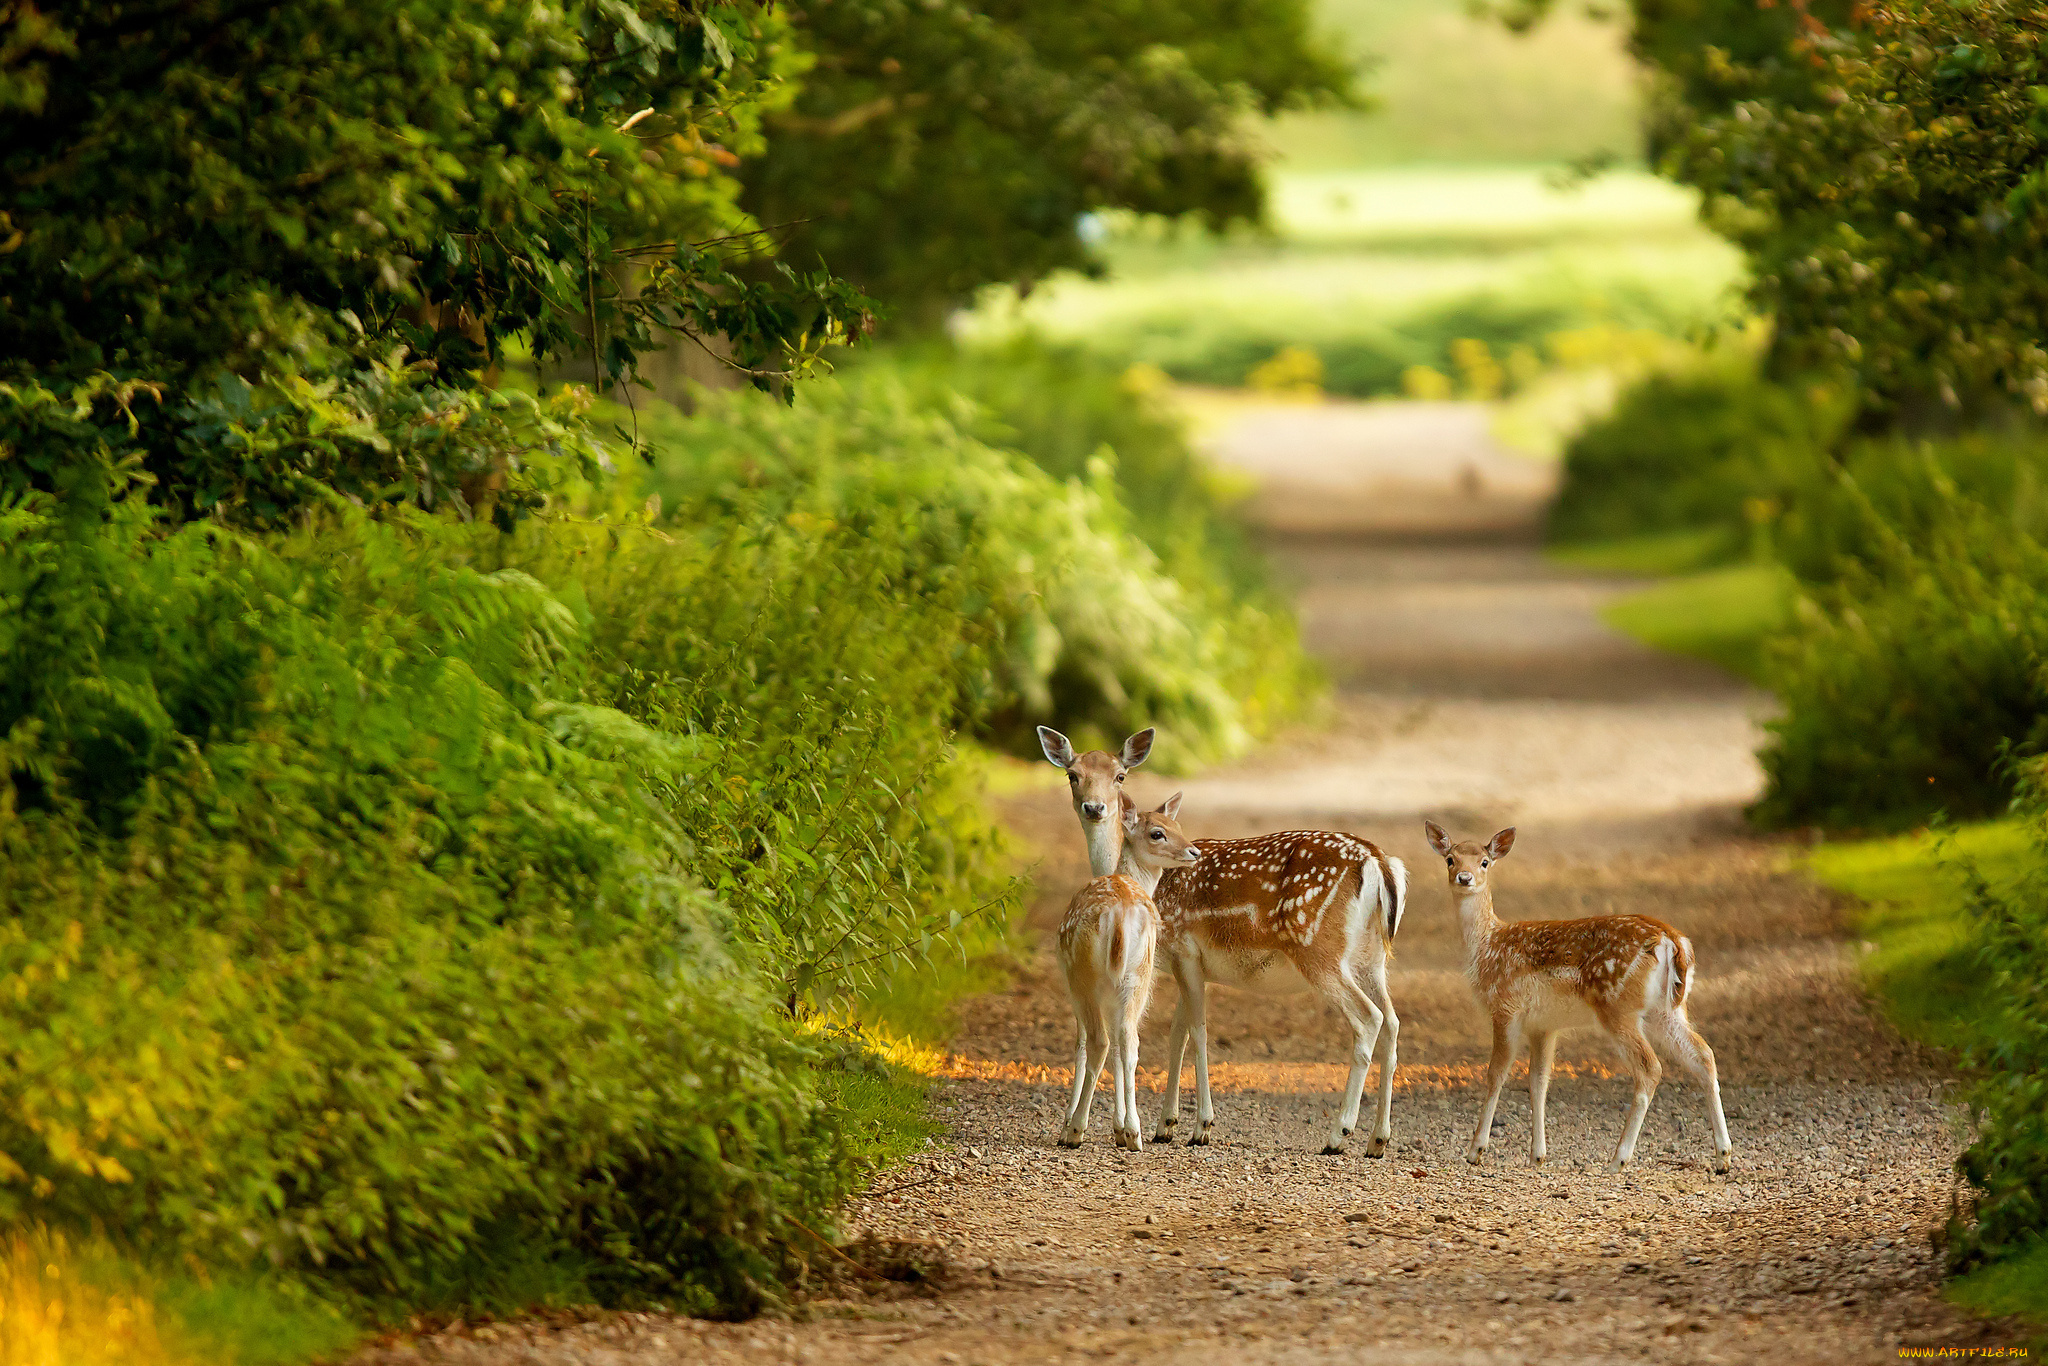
1385 269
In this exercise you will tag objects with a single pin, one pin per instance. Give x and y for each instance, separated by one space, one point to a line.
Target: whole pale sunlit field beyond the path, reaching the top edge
1404 234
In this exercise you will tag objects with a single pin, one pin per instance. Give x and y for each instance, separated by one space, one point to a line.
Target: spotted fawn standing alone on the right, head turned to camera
1631 976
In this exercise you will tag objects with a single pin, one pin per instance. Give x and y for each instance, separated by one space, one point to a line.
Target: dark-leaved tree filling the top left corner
286 234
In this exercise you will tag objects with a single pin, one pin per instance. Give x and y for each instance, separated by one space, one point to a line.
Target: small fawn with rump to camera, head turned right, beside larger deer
1107 947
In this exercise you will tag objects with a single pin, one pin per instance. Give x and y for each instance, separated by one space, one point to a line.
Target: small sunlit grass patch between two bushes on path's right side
1719 615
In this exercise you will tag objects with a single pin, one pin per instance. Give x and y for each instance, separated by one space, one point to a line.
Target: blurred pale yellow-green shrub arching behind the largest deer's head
1082 620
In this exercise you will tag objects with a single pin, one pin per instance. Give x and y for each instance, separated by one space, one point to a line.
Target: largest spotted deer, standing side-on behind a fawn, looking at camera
1302 910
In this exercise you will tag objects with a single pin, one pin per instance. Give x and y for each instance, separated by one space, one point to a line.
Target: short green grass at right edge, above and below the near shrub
1924 970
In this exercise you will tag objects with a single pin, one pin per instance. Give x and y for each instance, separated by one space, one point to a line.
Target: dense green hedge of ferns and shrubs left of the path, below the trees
398 890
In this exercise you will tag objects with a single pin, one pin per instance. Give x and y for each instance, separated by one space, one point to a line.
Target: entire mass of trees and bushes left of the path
478 835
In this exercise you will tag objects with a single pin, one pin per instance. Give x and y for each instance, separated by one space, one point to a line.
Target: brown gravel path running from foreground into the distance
1478 687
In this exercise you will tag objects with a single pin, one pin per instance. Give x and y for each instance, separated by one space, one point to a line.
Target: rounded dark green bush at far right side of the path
1693 450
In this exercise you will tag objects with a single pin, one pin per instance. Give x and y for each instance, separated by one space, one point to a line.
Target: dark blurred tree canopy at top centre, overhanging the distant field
945 144
